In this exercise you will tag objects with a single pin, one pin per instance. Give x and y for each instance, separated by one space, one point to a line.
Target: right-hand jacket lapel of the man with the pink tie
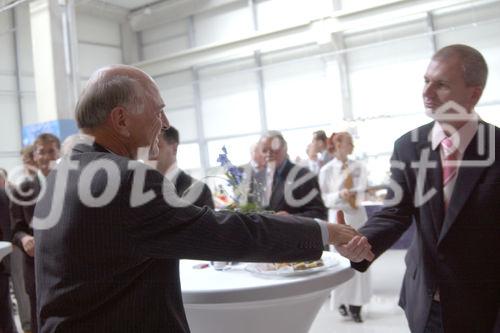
467 178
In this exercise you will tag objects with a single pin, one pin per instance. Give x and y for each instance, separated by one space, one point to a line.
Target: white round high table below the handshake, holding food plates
237 301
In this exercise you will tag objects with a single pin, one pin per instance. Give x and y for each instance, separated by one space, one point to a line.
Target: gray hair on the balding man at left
105 90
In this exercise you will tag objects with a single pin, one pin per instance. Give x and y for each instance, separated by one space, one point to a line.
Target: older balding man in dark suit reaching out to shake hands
110 230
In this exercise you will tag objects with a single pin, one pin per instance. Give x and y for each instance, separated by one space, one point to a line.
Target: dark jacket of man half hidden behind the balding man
183 183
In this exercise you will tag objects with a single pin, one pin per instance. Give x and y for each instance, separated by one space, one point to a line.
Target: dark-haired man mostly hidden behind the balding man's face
187 187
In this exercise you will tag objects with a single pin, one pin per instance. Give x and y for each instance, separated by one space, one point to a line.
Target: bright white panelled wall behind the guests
301 79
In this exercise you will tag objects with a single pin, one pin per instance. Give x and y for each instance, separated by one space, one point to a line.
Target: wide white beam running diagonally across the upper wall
338 22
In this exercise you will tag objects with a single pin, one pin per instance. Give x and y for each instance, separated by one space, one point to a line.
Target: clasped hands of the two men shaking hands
348 242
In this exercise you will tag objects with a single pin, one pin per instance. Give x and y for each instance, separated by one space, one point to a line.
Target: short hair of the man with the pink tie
474 66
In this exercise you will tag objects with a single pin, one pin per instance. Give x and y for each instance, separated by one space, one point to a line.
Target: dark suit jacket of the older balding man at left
113 267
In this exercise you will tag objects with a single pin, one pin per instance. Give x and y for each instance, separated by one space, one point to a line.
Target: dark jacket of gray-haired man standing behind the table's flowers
285 181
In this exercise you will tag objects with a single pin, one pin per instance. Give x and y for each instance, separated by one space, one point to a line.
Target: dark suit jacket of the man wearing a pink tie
454 251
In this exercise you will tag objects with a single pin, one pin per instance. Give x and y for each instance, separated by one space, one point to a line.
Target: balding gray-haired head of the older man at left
122 109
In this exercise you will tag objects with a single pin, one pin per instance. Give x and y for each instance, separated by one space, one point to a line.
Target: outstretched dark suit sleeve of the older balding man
168 227
